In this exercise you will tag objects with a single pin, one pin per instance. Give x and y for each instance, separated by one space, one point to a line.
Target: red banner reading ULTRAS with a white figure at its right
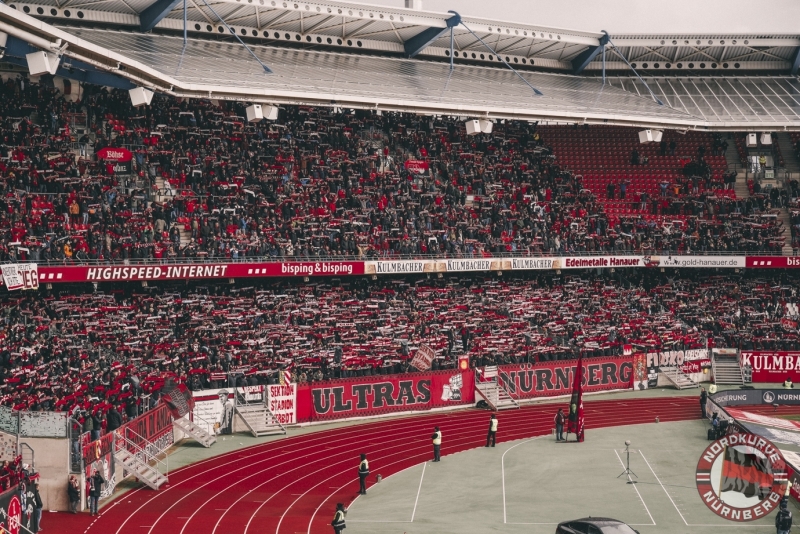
384 394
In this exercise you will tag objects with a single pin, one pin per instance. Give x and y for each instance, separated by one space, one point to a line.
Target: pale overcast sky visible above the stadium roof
677 17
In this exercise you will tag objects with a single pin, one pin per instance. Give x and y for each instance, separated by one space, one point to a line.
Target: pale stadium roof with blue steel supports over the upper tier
336 53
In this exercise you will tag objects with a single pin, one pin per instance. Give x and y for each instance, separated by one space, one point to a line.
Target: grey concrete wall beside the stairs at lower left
51 456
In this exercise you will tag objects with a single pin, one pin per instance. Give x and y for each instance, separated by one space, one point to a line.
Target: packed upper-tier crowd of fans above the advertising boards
319 183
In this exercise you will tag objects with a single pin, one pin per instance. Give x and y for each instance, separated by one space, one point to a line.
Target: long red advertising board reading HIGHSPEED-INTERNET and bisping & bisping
184 271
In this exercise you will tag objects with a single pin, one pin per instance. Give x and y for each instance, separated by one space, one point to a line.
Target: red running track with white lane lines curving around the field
292 485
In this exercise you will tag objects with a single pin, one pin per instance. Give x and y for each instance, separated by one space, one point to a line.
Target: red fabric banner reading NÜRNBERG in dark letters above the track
555 378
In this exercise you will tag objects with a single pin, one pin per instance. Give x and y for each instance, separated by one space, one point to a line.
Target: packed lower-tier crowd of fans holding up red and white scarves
98 353
